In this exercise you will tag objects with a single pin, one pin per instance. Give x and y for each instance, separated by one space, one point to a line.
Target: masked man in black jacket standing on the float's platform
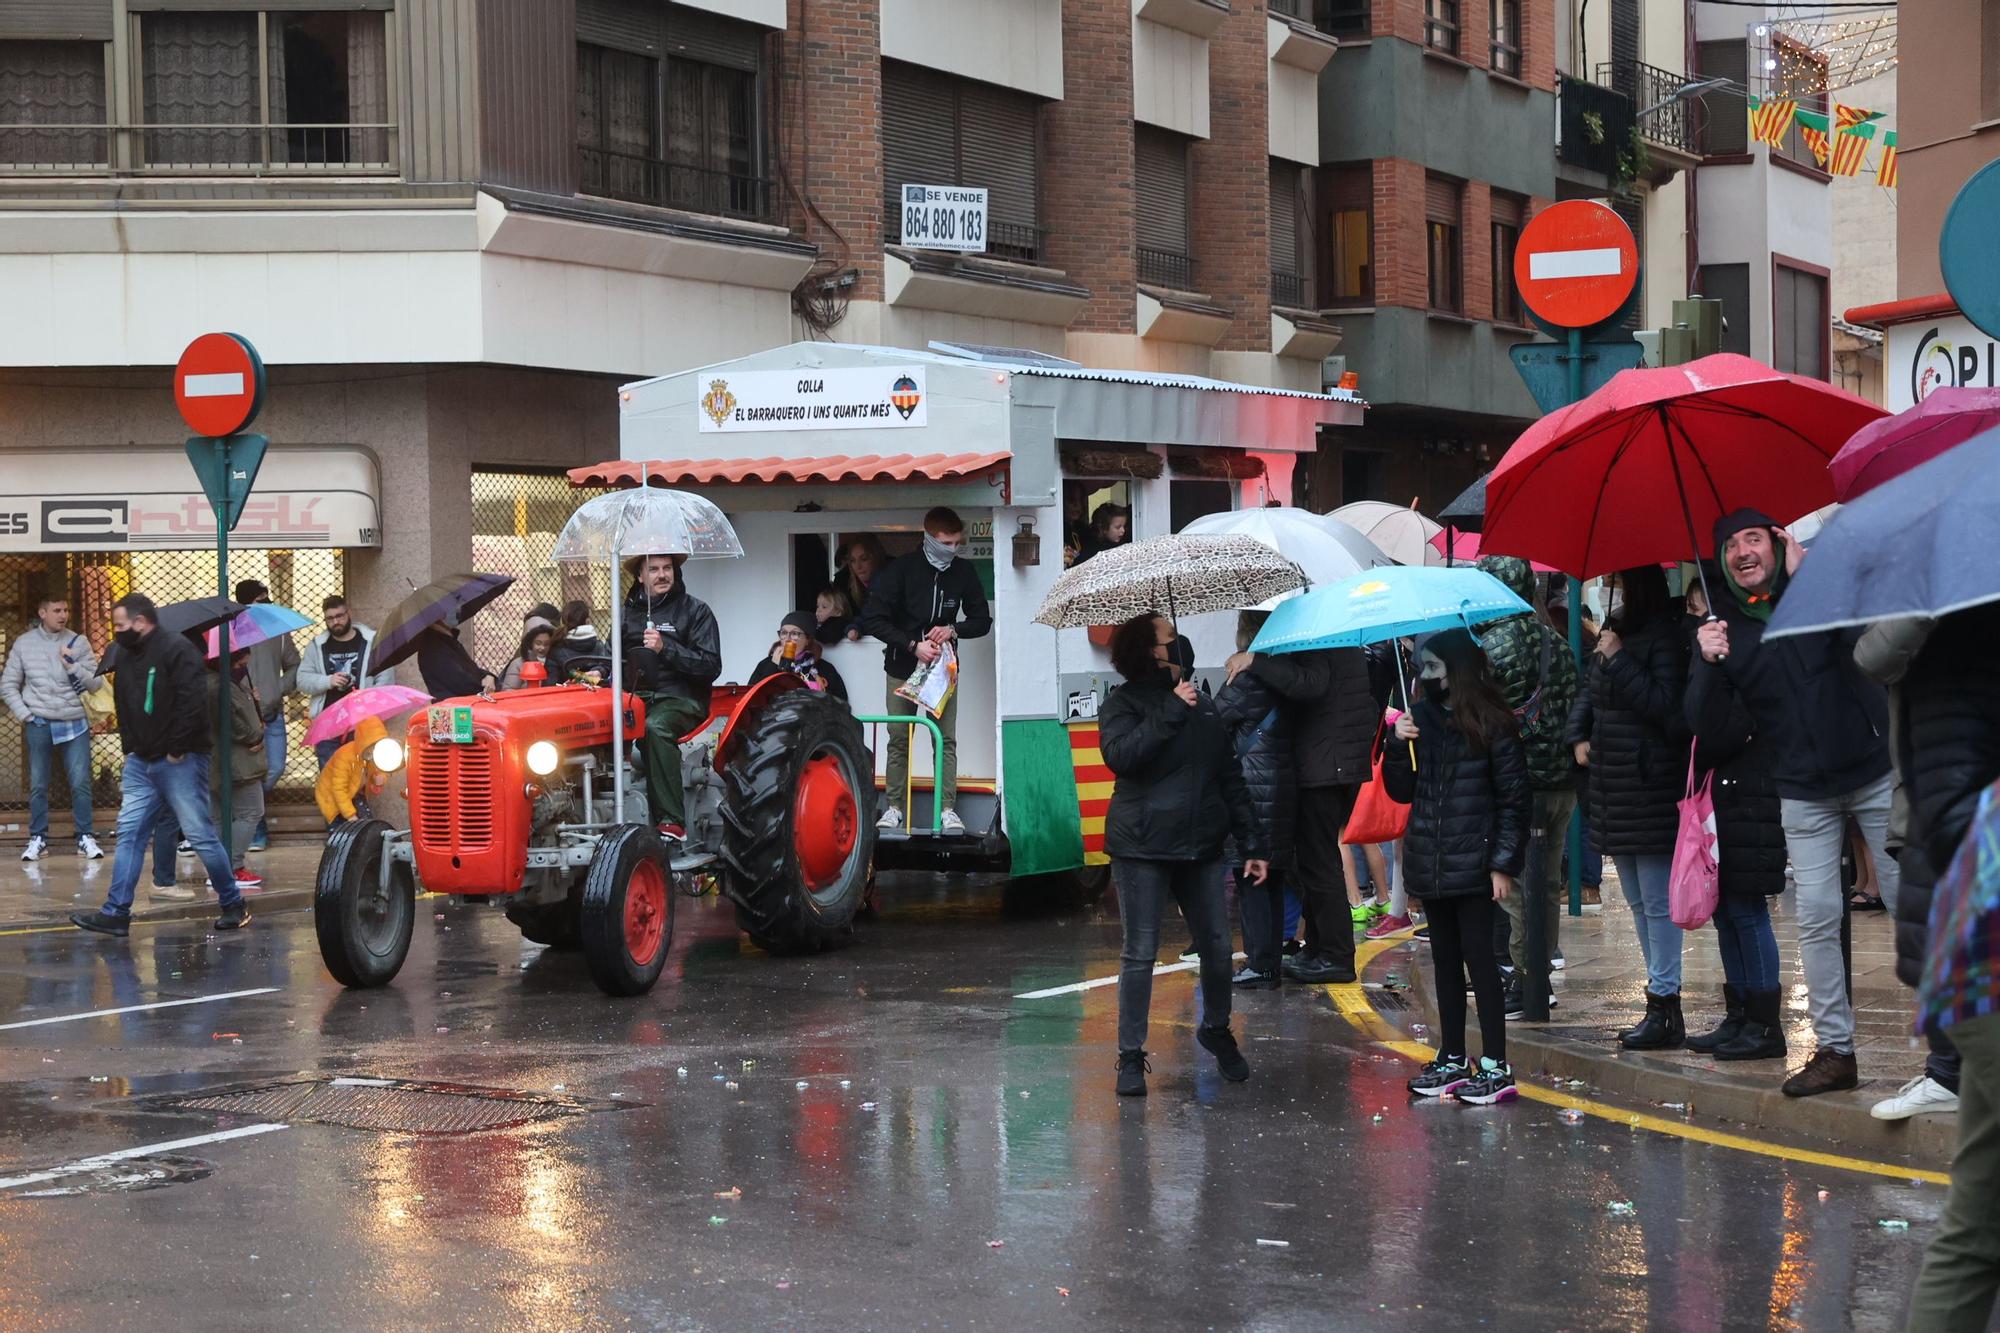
917 607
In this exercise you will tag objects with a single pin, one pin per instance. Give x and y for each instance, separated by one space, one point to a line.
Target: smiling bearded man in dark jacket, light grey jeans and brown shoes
1829 734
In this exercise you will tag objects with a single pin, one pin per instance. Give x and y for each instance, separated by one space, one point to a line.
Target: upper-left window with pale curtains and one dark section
313 95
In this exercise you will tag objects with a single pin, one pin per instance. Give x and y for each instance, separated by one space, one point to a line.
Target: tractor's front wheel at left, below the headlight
363 926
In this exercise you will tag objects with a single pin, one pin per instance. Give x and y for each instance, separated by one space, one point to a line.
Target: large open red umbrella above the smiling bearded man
1639 471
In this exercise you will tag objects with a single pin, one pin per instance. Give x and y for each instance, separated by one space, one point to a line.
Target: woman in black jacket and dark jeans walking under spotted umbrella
1179 798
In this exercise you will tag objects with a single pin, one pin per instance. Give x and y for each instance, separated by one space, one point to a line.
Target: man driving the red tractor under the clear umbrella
673 655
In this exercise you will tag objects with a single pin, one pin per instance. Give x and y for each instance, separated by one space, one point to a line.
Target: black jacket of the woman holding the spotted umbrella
1181 792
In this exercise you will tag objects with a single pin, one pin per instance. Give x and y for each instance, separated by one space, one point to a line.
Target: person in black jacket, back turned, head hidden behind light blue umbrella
1333 718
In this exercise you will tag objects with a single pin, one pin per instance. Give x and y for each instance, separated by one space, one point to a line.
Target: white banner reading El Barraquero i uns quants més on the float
851 399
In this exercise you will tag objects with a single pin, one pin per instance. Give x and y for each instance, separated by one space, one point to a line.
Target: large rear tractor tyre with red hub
797 822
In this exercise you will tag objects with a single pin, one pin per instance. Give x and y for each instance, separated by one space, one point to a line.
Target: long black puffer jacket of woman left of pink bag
1631 712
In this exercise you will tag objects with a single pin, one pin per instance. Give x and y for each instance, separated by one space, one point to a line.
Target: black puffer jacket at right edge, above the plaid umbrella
1951 736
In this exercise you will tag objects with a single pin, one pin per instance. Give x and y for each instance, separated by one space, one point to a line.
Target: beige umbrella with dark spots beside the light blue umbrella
1169 575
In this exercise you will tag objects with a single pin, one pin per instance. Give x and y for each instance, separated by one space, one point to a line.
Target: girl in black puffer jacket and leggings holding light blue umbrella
1467 842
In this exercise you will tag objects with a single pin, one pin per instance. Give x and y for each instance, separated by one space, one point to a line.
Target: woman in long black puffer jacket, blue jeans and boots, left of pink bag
1631 732
